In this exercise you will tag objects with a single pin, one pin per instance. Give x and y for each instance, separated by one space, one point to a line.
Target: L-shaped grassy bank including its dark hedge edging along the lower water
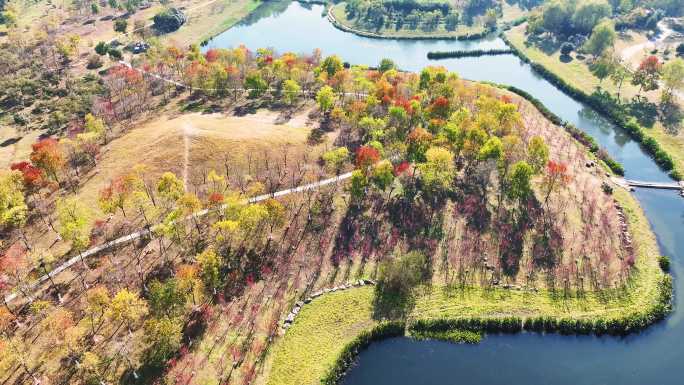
328 333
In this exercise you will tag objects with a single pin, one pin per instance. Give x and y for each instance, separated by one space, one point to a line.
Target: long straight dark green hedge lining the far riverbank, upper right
609 109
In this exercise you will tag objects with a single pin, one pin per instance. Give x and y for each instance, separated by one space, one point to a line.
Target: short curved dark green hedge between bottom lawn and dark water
351 350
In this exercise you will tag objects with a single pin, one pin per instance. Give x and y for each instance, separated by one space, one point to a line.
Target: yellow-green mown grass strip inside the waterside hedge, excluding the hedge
331 321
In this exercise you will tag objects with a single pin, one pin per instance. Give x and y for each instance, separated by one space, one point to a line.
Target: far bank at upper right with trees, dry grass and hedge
588 28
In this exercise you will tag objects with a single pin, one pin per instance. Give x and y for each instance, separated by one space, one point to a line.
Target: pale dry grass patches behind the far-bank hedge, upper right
577 73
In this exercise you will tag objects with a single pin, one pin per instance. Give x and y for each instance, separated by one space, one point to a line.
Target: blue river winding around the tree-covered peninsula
652 357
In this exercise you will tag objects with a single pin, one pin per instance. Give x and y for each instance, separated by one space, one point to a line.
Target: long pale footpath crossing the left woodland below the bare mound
143 232
